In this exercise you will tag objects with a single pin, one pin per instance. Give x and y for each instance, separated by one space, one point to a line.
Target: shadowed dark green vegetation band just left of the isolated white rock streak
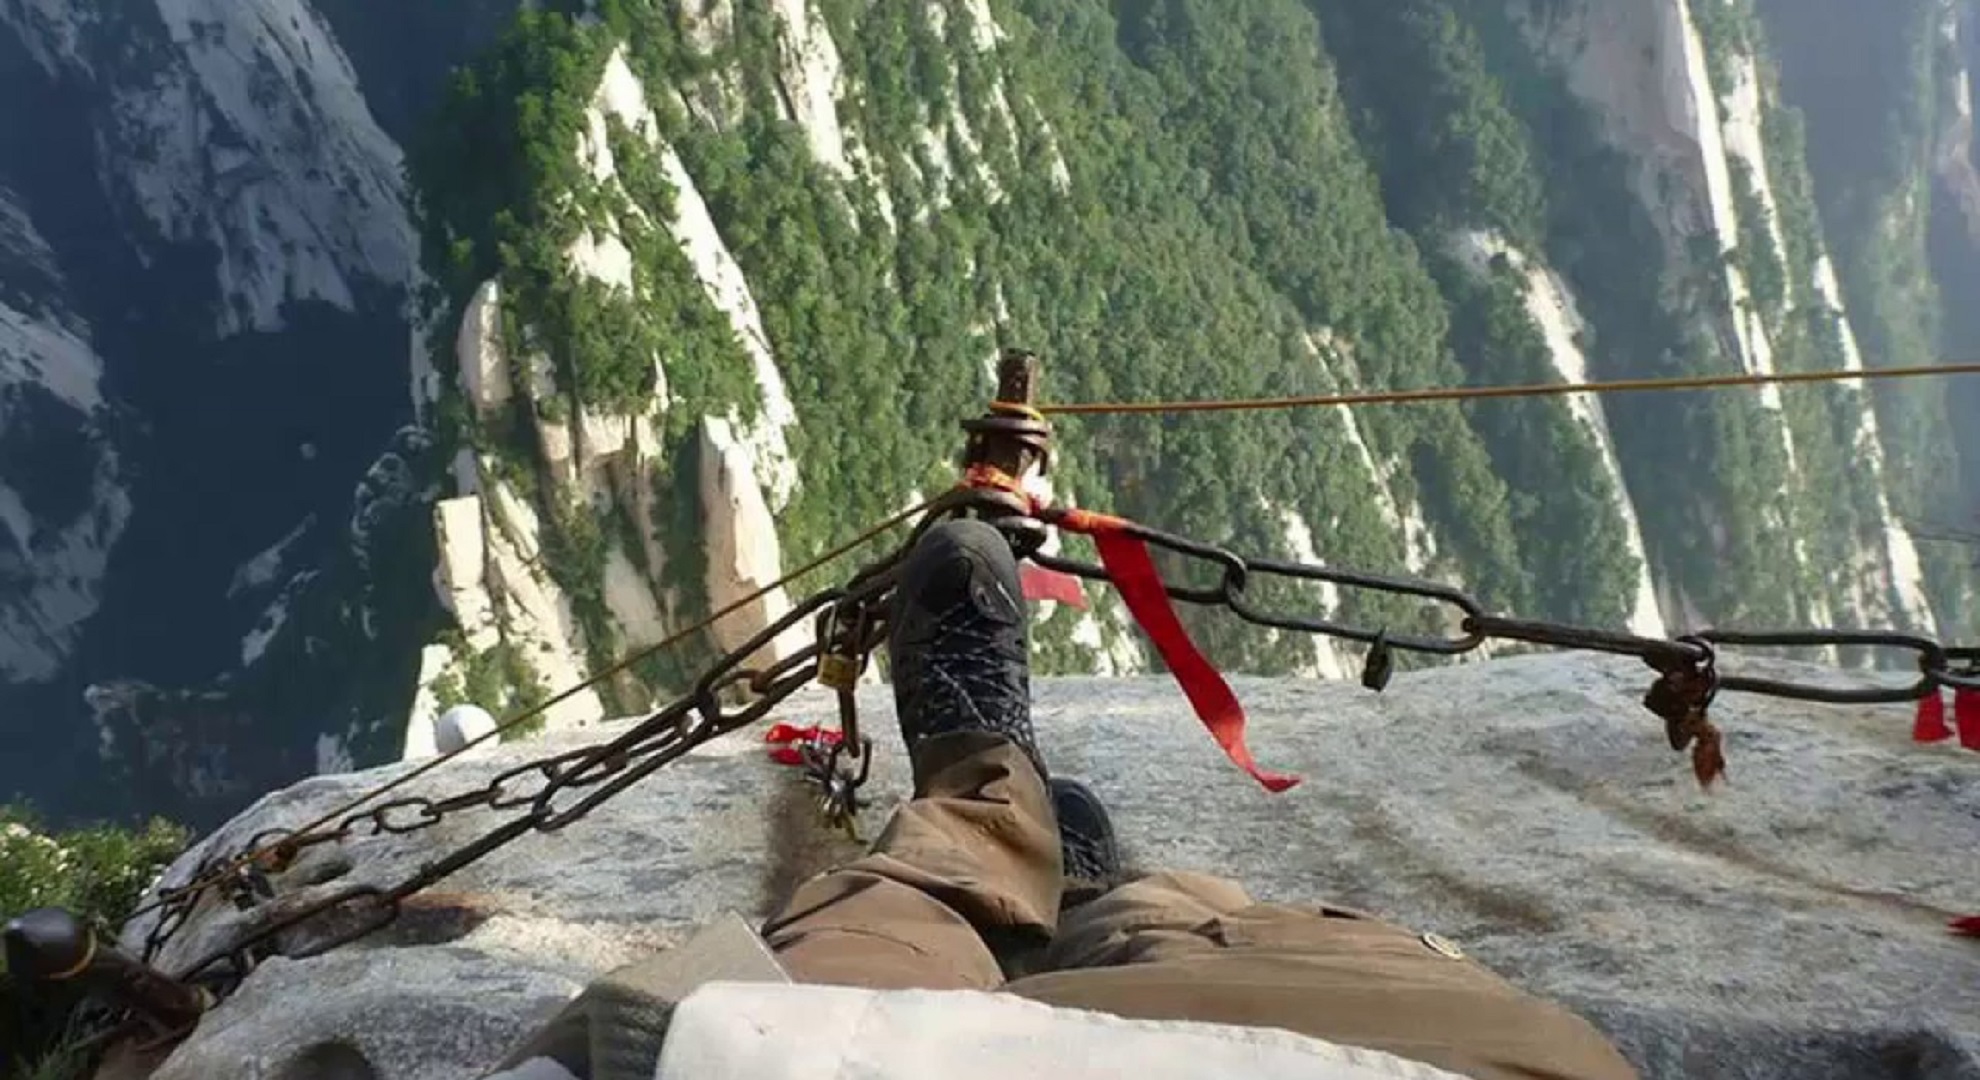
1456 160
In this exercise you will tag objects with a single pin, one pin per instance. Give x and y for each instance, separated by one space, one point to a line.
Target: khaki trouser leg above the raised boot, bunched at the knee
975 857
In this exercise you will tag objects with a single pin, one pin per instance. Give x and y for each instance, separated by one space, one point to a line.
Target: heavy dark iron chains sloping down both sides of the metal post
850 623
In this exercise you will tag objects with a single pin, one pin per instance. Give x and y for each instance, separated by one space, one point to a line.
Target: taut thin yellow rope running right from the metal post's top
1484 393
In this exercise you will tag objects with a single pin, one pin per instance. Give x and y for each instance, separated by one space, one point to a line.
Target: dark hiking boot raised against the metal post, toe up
959 643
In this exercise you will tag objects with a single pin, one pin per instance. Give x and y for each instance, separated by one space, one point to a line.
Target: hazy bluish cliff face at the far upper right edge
1886 96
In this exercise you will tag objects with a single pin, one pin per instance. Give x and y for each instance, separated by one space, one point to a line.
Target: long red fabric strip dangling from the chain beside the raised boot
1141 586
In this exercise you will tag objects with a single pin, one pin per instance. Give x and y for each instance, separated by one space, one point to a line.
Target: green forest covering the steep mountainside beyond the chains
1260 199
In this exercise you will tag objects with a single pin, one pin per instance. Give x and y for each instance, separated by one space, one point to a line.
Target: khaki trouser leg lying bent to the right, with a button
1195 948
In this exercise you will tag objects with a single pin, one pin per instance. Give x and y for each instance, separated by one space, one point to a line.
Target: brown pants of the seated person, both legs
965 887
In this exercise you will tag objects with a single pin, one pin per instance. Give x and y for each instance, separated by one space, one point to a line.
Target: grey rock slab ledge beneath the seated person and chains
1793 922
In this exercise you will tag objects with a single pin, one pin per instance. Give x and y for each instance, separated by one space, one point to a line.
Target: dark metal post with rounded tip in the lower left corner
52 946
